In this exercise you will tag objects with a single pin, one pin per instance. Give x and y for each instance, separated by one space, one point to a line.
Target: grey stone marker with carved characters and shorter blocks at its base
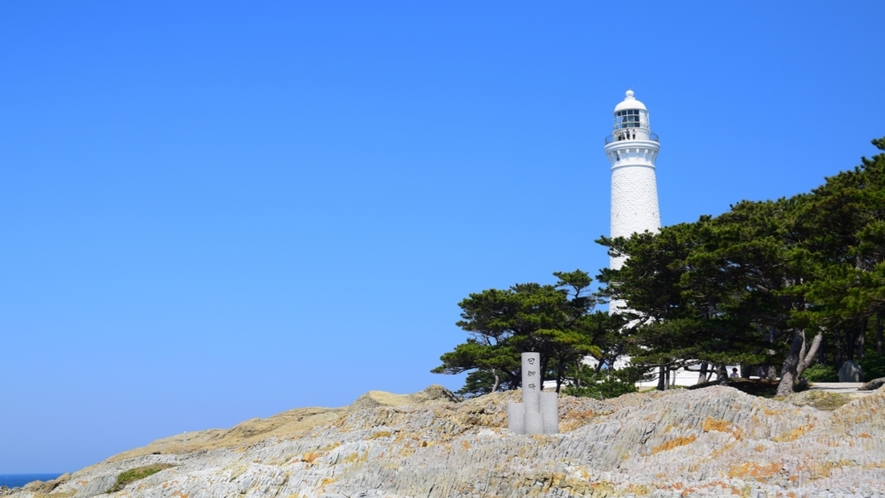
539 411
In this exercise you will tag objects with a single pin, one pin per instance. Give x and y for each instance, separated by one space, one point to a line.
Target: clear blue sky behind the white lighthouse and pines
213 211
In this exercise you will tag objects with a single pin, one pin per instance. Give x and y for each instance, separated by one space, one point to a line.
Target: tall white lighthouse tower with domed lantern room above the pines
632 149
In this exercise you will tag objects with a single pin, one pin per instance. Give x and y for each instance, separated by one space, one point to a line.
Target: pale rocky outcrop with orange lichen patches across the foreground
709 442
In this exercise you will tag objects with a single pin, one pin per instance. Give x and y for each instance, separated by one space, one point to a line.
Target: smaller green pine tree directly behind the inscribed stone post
555 320
